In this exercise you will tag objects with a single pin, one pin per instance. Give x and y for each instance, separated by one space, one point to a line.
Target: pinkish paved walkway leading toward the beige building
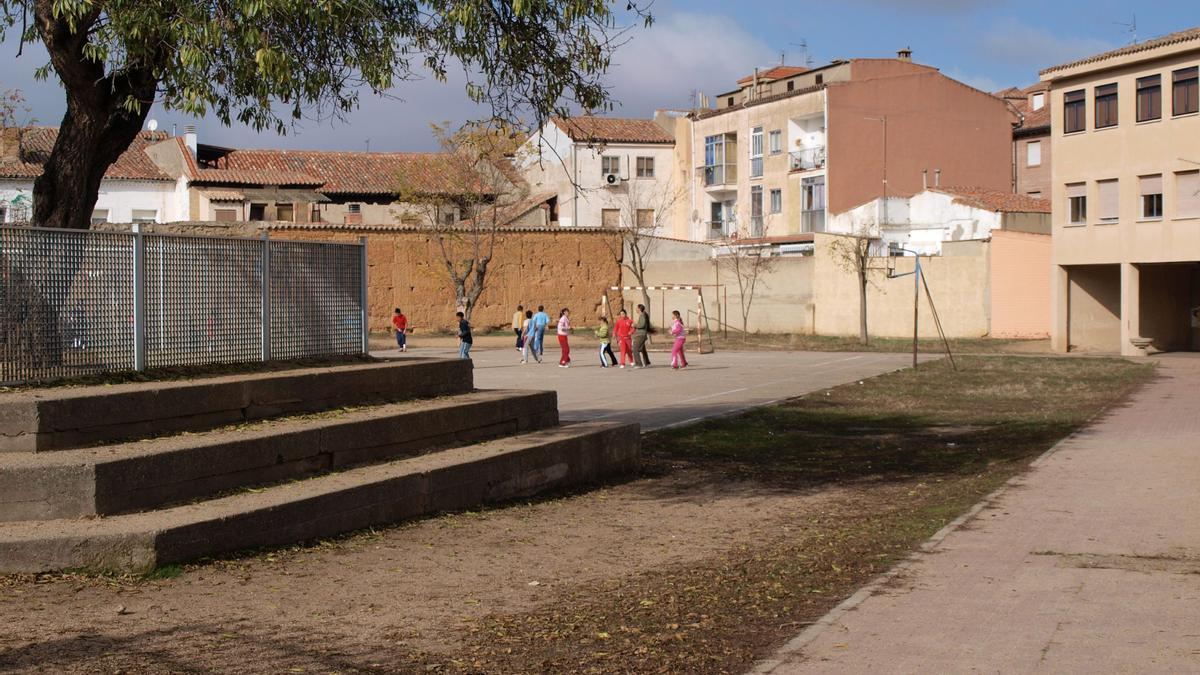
1088 564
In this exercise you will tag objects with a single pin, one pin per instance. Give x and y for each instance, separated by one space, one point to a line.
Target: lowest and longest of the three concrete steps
452 480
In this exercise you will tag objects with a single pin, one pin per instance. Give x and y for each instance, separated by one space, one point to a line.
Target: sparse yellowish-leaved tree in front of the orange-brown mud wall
478 199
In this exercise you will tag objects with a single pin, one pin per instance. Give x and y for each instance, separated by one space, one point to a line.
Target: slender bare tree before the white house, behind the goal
644 212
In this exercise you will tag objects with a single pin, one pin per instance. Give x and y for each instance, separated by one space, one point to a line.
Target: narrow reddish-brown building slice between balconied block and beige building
1031 140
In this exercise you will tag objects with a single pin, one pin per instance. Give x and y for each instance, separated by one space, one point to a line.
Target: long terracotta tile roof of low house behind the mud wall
345 174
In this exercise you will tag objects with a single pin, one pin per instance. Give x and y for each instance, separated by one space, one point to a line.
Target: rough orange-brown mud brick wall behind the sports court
556 268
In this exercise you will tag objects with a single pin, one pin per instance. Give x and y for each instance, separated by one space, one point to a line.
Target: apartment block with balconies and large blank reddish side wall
793 146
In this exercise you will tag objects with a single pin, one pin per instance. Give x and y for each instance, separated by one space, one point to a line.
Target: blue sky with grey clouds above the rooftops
706 46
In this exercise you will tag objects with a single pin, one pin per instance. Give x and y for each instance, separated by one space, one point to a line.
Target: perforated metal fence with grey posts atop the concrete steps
80 303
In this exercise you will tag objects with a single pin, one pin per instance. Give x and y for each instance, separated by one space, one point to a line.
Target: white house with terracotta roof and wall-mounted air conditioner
602 171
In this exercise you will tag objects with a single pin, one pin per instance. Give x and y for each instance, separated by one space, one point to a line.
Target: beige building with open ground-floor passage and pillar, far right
1126 198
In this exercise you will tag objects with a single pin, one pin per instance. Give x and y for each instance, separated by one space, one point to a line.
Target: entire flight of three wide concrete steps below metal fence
364 445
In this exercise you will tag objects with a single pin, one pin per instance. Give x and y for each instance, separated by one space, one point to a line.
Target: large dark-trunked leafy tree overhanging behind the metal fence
266 62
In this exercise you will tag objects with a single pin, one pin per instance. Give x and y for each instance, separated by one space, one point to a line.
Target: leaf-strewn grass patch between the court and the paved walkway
909 452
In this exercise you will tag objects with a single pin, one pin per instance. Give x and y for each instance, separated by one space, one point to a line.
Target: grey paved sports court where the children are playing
658 397
